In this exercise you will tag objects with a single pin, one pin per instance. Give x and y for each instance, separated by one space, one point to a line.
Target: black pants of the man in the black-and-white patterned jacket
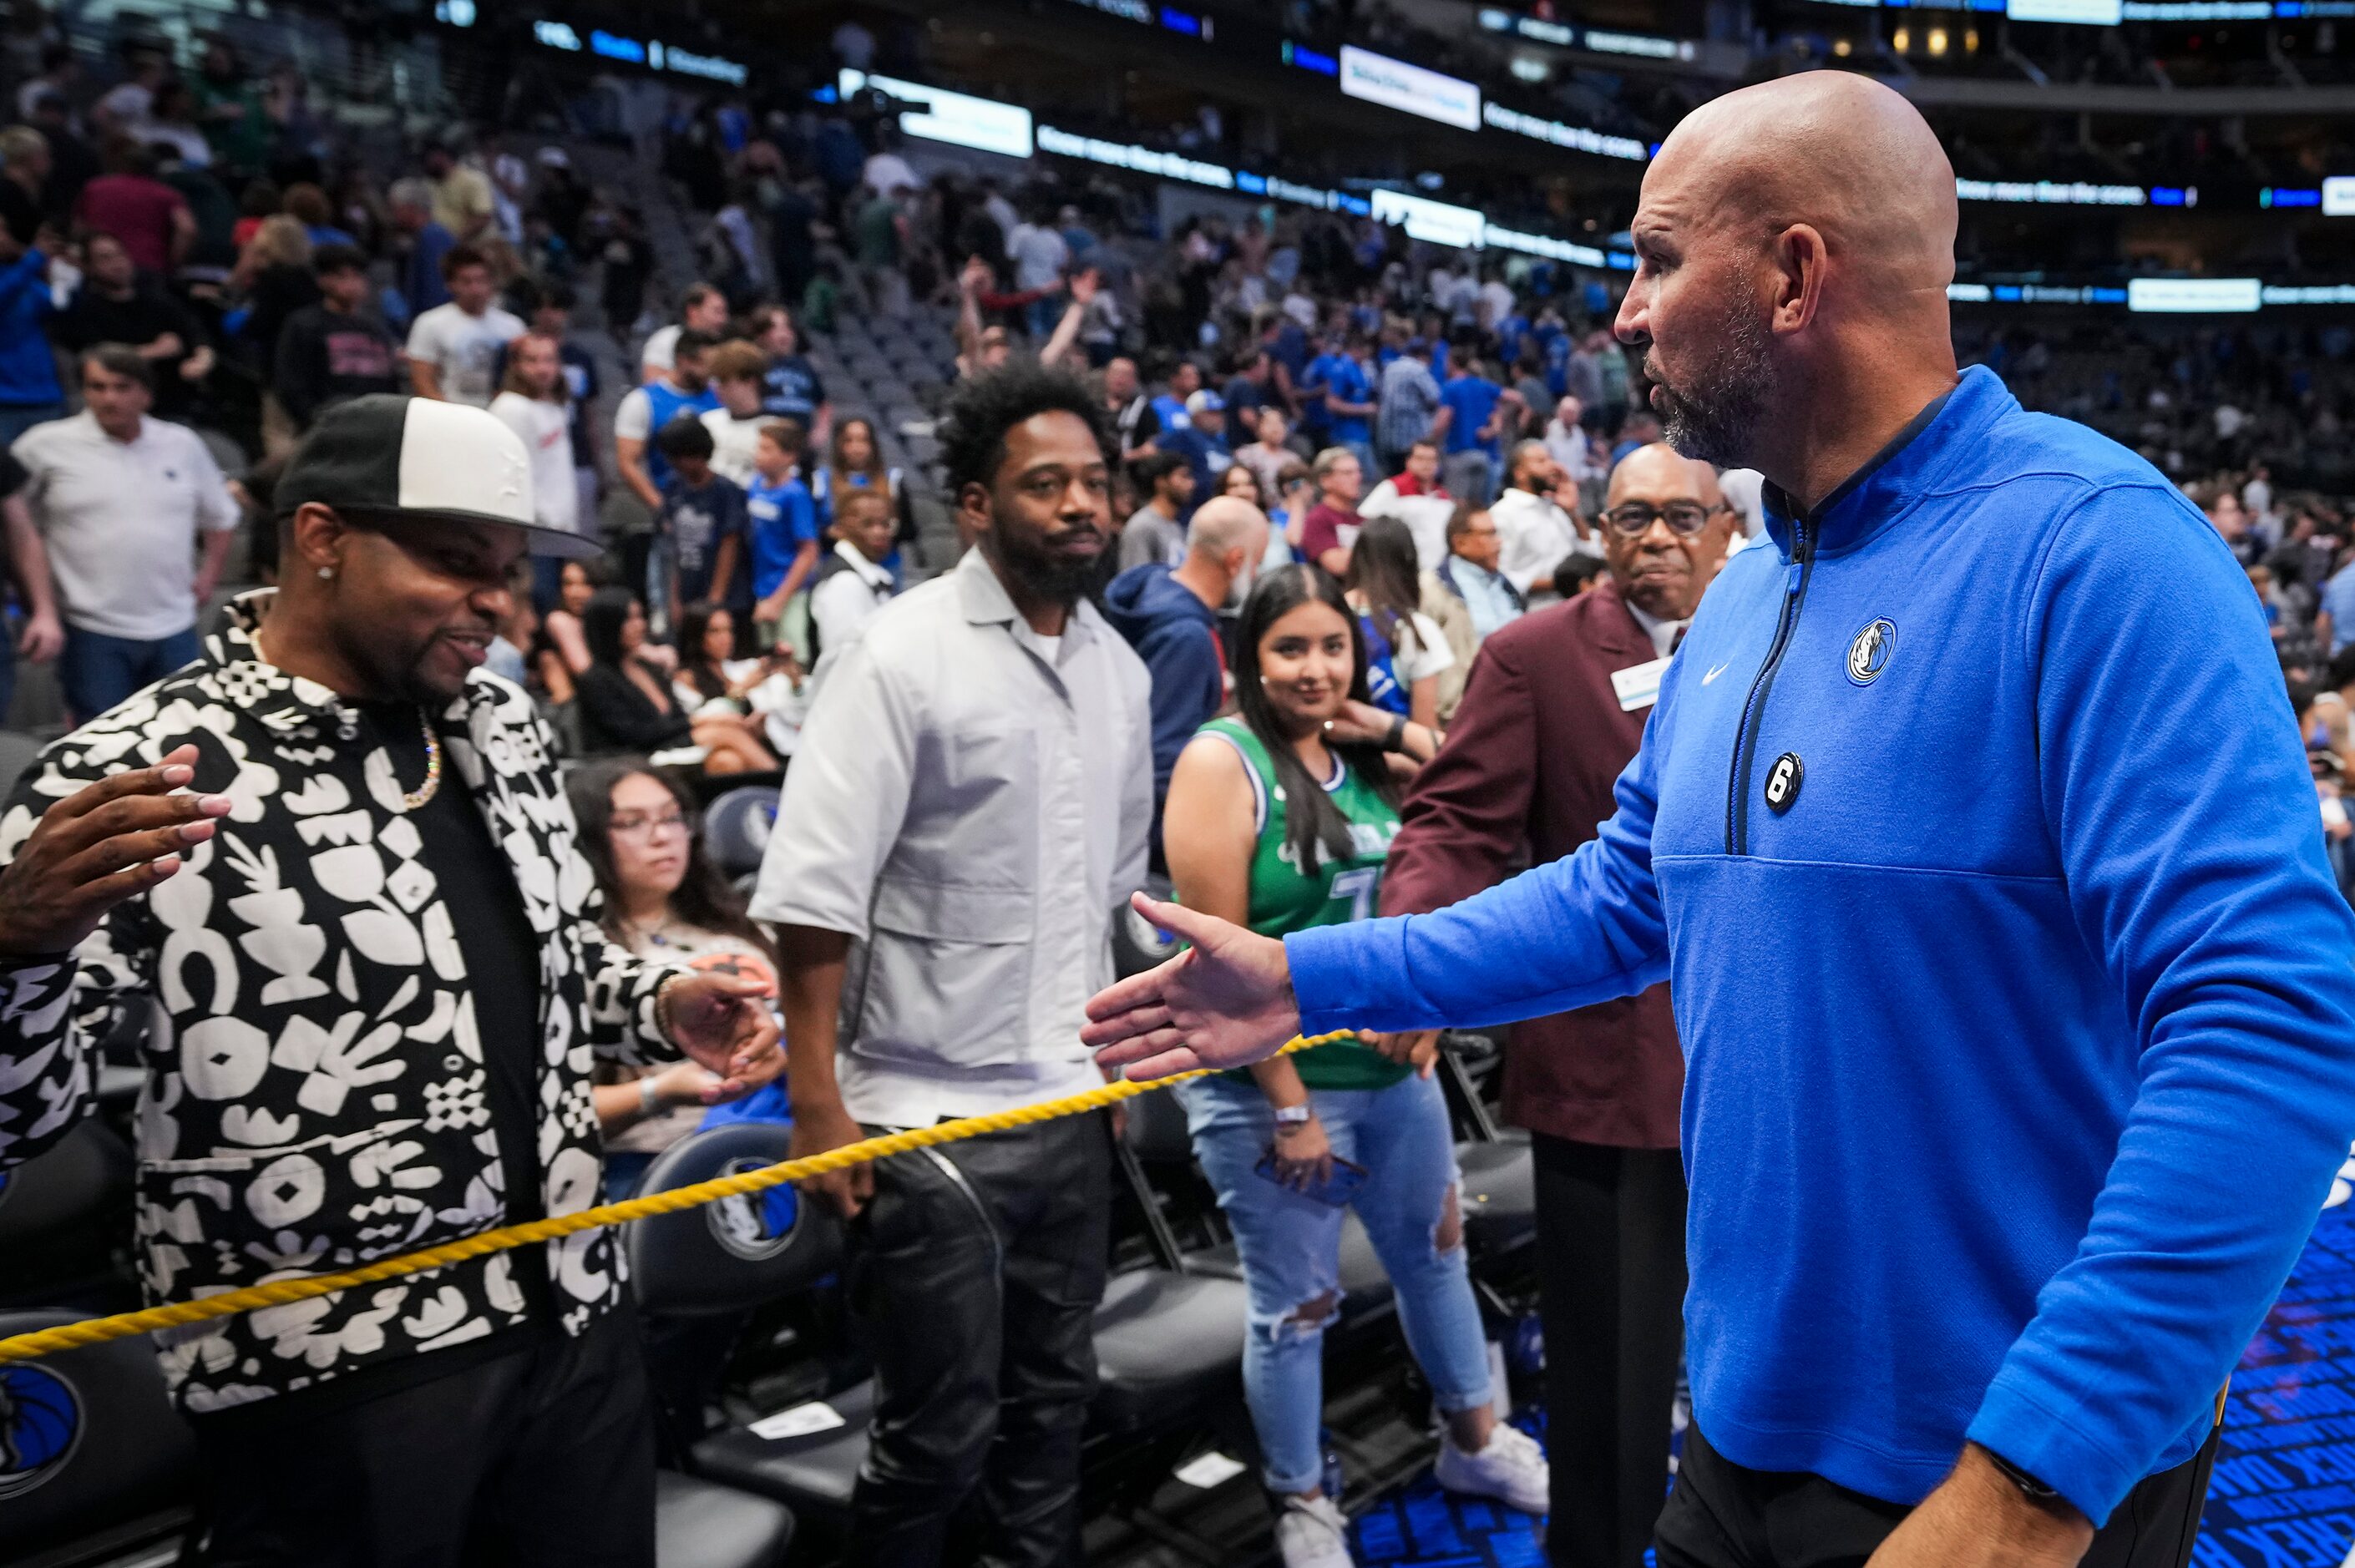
543 1456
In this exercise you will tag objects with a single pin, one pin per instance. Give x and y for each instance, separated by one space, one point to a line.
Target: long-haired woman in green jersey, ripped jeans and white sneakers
1280 820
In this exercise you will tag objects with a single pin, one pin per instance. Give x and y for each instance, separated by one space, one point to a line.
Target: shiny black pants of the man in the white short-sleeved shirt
979 1270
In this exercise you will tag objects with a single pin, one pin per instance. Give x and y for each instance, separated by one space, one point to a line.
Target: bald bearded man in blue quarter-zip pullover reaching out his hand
1979 851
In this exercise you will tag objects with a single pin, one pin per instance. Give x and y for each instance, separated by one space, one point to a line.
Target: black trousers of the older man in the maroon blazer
1612 1273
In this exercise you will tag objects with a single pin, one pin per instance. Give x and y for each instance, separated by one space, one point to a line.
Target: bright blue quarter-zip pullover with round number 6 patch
2022 1042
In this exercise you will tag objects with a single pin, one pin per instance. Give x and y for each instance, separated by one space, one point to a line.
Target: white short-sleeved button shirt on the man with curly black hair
969 804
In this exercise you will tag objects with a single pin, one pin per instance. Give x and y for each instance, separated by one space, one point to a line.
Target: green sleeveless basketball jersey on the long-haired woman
1285 898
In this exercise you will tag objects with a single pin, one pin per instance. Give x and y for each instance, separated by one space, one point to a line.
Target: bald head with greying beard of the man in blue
1796 244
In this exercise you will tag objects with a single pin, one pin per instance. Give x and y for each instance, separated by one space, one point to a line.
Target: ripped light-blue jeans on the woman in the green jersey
1292 1251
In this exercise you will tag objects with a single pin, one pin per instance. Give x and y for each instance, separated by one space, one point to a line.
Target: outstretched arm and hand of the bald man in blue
1563 936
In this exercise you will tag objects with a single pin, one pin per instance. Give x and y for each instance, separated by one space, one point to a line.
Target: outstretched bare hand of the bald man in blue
1226 1002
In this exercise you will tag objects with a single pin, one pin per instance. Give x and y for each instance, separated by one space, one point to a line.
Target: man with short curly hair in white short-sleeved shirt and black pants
967 811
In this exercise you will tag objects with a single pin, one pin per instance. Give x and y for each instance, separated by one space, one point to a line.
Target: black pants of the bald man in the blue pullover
1730 1517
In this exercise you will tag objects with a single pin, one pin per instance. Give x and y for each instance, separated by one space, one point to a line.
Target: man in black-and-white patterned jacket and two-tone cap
336 863
